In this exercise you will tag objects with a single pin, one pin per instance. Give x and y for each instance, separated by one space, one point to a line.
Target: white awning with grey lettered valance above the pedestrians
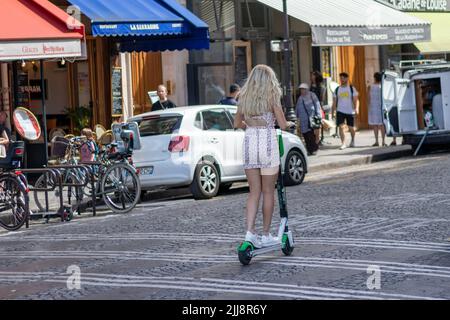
355 22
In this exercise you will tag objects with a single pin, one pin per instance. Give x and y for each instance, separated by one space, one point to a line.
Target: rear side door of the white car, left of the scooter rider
217 129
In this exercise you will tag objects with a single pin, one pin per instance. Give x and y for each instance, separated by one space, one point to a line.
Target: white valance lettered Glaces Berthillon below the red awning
17 50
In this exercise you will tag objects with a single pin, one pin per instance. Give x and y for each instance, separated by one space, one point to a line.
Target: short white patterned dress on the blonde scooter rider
261 149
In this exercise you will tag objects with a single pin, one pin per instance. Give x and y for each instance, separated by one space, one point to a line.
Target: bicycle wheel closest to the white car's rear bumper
121 188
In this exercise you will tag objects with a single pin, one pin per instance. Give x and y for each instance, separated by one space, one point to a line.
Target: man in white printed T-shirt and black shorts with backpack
346 103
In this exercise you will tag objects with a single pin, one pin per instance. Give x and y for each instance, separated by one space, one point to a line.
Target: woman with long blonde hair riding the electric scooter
258 110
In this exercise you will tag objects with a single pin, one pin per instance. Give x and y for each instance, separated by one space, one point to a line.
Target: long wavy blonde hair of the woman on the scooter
261 92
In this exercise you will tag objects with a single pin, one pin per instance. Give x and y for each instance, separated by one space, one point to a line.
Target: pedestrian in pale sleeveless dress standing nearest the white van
375 110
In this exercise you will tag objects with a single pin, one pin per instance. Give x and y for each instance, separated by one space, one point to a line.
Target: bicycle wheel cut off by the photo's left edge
13 203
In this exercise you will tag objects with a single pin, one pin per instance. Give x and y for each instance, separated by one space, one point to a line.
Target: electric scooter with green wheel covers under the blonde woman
247 250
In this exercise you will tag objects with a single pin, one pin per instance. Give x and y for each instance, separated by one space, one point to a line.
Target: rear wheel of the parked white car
206 181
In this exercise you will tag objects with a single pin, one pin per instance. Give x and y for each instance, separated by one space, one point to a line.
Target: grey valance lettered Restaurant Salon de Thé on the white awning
354 36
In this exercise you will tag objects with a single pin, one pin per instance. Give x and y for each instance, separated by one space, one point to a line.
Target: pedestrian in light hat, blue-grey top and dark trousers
309 117
